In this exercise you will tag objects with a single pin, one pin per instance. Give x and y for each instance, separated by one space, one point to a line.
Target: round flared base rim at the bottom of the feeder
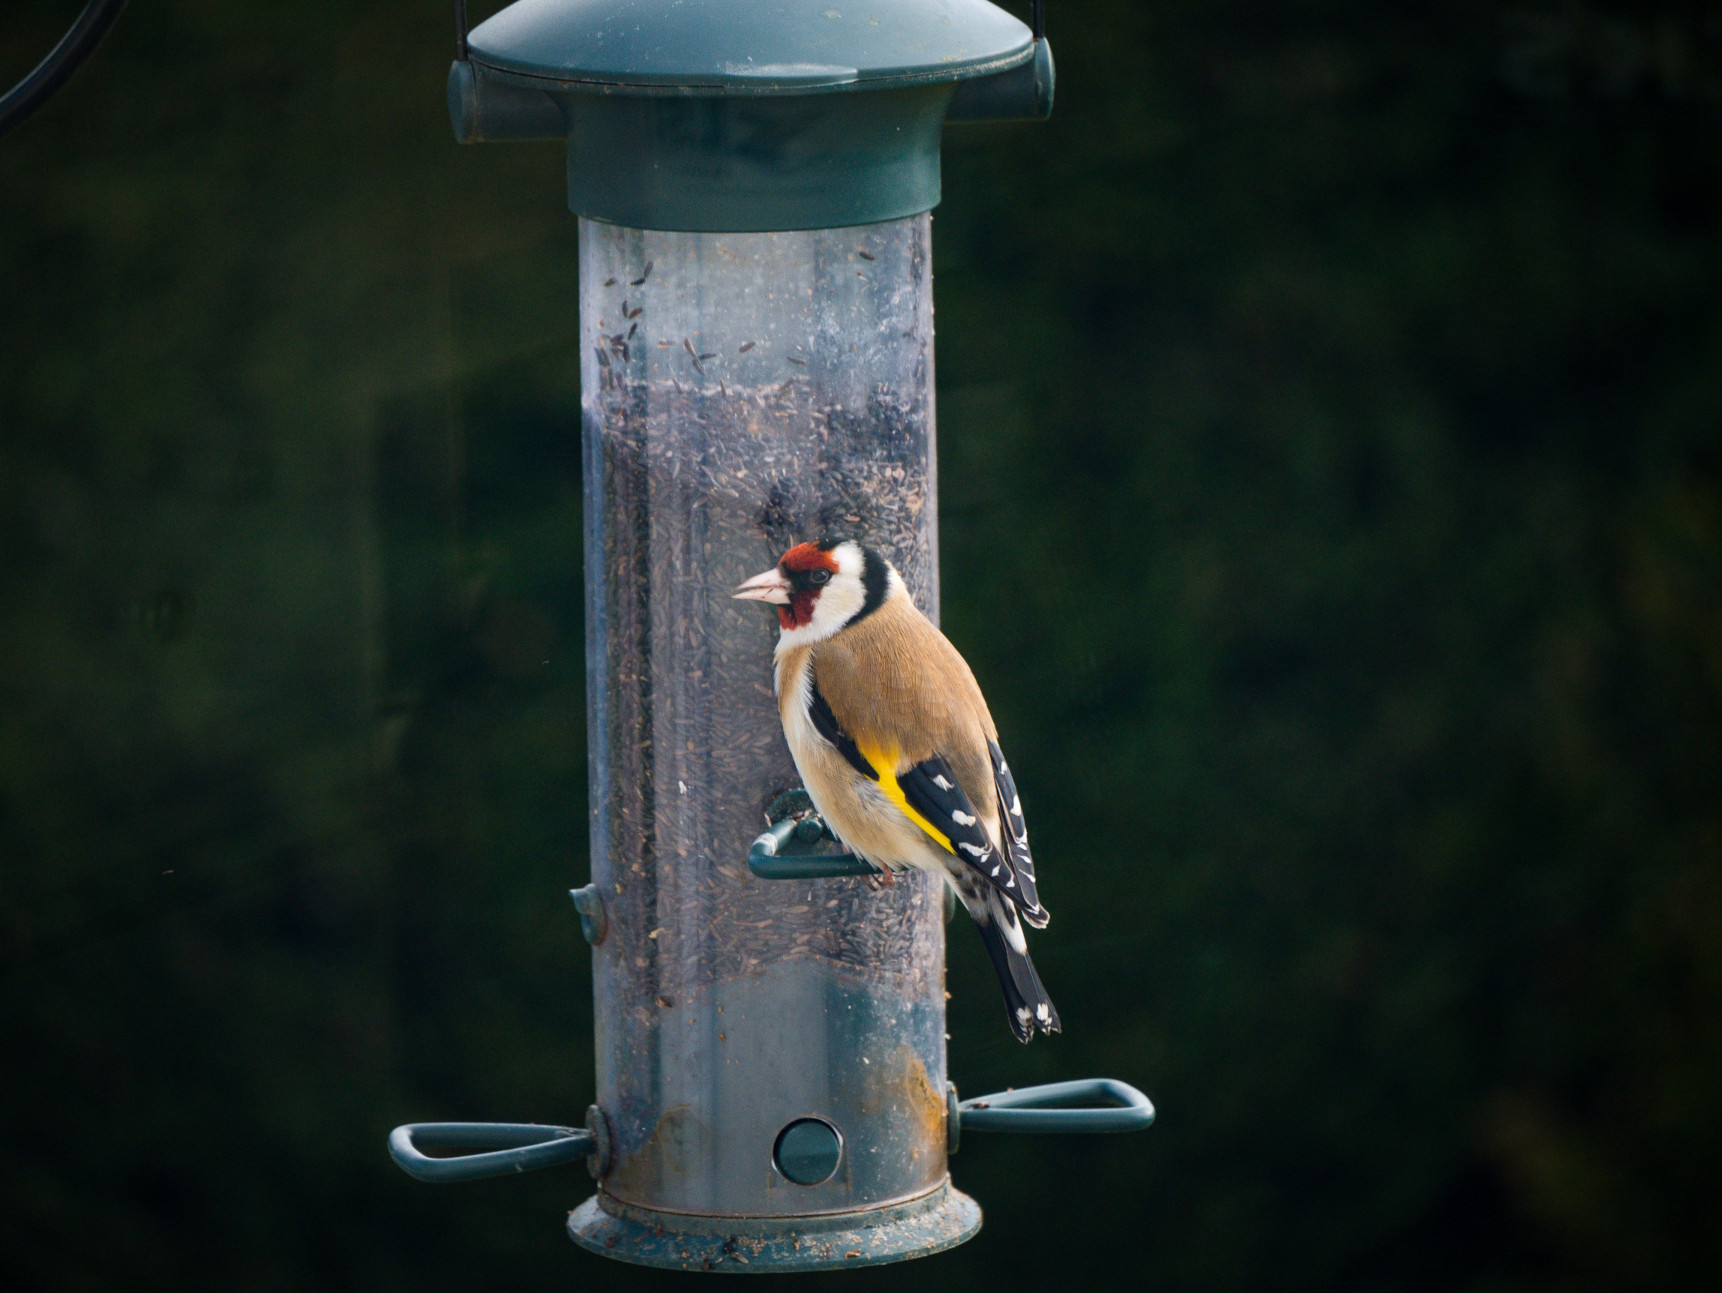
757 1246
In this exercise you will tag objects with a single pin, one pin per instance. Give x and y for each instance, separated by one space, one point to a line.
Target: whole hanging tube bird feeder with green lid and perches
757 356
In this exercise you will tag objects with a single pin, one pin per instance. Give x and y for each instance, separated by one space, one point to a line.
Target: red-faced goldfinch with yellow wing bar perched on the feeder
896 748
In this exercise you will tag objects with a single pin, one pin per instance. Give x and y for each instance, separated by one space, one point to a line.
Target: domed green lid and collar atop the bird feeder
746 114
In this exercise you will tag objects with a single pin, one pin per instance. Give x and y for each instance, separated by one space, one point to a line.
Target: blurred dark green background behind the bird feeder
1330 445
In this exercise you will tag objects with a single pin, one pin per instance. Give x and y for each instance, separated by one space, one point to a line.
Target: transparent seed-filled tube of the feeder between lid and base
745 393
